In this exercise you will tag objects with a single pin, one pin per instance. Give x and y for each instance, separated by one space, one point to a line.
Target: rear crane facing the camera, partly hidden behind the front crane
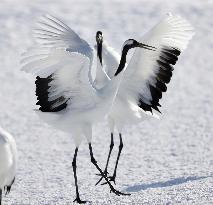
145 77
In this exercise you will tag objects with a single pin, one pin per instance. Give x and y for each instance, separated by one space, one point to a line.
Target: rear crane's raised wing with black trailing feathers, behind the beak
148 72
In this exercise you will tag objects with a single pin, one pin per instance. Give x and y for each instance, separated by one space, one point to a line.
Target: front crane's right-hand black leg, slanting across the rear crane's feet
102 174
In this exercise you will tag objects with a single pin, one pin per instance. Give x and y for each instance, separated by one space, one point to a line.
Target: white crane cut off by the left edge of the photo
8 160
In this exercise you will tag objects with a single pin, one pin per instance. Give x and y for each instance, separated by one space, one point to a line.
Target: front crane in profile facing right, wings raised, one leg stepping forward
65 91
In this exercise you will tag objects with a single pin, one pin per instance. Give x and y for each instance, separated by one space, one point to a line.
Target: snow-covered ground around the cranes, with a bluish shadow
164 162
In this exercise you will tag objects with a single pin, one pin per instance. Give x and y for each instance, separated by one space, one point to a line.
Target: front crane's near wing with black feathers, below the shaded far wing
62 81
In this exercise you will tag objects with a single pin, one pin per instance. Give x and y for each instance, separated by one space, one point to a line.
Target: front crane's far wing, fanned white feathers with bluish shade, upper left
53 33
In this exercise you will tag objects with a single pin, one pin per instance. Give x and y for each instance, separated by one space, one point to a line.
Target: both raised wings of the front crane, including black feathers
62 61
